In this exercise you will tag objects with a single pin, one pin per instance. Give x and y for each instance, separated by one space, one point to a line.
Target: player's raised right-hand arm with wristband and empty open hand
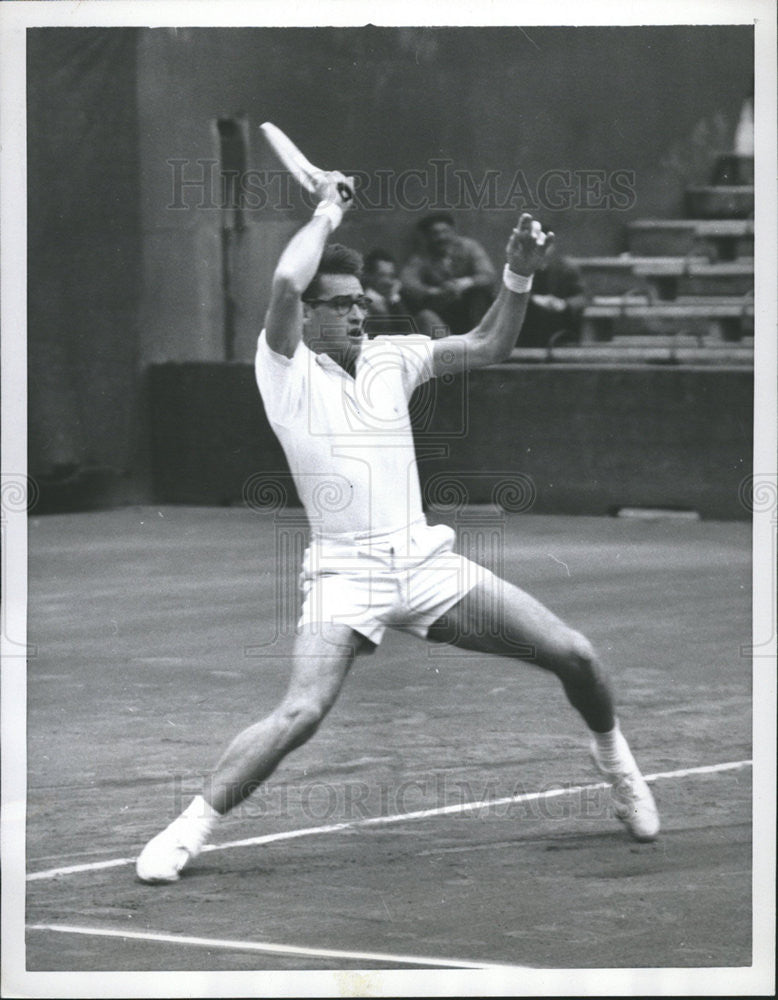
495 336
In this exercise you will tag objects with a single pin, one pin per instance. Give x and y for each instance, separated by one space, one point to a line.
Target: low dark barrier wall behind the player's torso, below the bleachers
571 439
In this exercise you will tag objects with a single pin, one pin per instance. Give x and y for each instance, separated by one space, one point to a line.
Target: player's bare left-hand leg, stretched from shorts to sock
320 662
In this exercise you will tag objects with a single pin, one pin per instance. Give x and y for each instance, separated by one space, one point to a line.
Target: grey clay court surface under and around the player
157 638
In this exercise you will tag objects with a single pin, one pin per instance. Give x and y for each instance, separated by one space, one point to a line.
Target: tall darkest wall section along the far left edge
84 251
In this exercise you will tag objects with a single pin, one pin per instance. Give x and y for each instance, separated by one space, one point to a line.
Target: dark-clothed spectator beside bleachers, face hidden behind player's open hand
556 305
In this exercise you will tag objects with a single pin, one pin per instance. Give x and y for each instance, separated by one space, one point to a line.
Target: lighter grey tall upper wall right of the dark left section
656 102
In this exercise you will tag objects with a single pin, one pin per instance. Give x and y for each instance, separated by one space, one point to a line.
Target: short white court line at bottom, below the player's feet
271 949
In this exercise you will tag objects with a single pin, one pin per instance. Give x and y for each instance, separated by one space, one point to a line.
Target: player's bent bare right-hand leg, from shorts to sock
498 617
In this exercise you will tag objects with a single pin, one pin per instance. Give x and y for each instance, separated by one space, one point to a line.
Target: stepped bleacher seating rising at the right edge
683 292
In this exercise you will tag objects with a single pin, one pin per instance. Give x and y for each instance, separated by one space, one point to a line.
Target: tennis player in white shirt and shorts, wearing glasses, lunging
338 403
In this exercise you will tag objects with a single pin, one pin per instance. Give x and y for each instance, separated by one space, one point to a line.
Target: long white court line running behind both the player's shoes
397 818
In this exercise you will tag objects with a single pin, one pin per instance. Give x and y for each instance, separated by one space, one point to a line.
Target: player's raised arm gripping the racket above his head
298 265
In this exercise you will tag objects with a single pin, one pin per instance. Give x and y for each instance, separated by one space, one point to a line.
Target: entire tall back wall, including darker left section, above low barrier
126 270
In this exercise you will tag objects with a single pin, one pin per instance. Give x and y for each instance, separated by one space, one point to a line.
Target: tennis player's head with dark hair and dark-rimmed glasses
333 321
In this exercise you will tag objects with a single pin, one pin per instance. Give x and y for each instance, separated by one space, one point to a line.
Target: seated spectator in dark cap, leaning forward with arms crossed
449 281
